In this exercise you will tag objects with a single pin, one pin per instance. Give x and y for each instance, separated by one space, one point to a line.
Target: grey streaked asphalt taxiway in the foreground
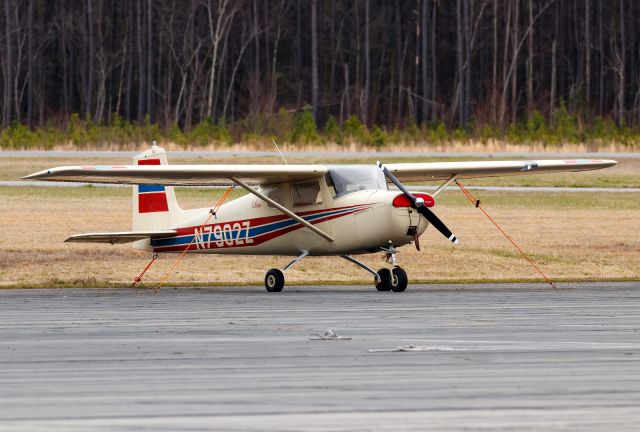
458 357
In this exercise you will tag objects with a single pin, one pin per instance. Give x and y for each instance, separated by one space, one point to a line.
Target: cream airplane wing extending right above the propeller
413 172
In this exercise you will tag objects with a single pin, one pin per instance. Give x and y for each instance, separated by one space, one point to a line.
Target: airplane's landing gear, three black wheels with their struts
394 279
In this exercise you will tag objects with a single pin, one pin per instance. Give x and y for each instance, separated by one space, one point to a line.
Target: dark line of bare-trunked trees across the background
463 64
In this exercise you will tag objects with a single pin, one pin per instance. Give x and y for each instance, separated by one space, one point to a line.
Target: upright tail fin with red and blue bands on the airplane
154 206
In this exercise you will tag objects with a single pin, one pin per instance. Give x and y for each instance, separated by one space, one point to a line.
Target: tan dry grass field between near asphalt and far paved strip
572 236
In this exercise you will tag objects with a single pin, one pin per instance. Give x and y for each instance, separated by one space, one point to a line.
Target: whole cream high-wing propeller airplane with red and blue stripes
291 210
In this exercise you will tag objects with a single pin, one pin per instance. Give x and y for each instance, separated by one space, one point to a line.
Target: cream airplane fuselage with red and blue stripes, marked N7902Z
359 222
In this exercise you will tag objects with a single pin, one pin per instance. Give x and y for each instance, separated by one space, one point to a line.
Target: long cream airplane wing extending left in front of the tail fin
181 175
